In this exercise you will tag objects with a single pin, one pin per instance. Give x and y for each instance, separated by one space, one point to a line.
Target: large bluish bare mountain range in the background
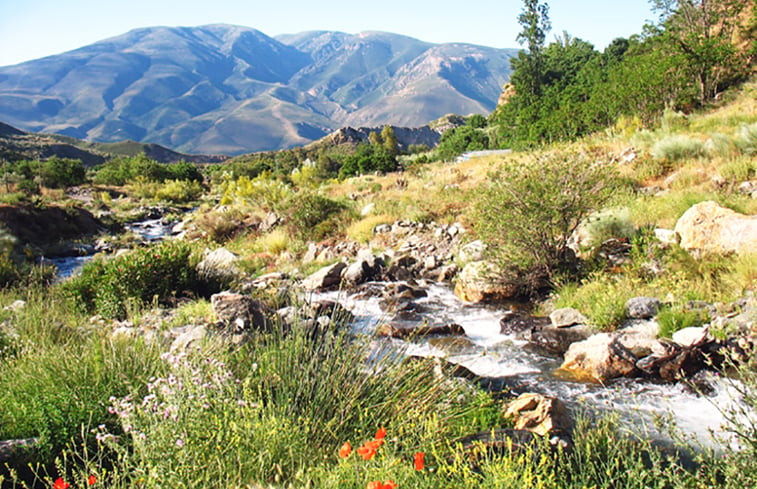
230 89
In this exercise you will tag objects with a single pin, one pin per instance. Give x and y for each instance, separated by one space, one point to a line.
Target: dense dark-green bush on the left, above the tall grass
108 287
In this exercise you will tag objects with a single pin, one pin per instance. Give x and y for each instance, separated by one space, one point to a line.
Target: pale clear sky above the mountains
31 29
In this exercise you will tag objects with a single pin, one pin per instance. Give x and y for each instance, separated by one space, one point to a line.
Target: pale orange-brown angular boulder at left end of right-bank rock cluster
599 358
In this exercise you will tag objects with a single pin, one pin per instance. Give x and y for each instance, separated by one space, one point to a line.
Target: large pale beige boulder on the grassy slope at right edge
709 228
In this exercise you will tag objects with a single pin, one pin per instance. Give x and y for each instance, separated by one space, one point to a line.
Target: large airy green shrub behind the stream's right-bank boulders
529 210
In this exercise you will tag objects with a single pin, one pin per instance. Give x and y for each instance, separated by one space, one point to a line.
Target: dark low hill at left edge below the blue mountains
17 144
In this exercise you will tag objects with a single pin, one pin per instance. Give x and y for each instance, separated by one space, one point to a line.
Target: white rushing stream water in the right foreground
510 363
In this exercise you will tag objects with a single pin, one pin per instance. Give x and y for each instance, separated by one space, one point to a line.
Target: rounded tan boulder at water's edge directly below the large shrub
481 281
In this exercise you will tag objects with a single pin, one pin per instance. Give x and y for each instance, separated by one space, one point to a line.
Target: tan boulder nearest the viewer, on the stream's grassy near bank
539 414
